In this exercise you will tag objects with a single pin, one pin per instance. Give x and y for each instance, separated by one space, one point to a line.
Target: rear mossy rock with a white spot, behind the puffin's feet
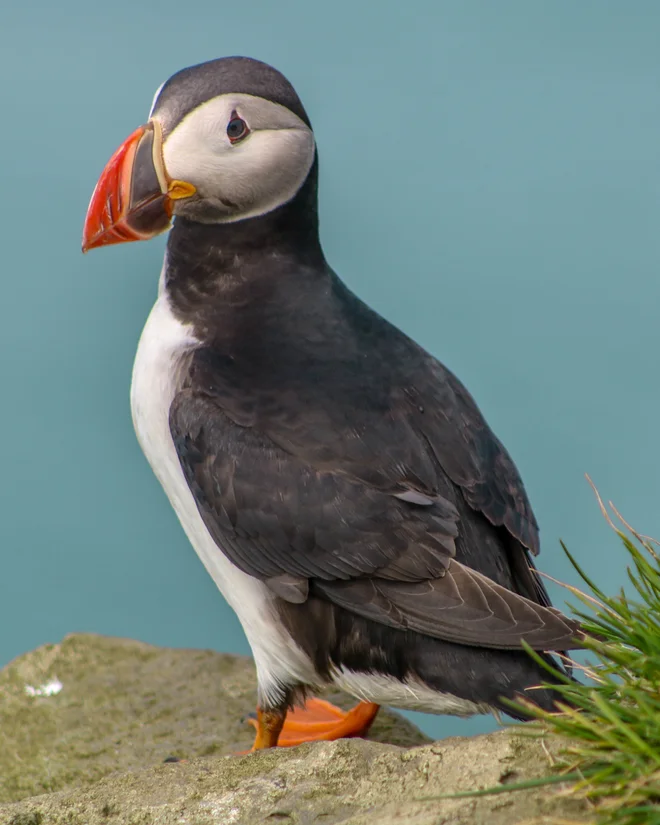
126 705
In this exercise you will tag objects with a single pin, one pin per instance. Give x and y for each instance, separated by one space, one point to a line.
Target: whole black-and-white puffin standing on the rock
339 484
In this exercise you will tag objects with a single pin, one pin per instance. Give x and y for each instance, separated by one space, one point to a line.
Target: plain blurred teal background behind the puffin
490 182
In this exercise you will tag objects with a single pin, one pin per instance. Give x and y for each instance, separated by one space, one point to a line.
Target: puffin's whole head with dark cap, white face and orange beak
225 141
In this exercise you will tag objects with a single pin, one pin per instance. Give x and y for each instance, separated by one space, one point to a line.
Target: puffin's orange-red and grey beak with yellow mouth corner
133 200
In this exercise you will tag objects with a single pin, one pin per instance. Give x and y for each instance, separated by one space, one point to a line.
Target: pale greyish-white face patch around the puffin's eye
238 178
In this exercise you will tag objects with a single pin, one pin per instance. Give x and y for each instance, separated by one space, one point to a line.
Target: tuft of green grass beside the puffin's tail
612 756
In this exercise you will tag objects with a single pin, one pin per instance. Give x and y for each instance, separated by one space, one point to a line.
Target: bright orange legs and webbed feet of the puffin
318 720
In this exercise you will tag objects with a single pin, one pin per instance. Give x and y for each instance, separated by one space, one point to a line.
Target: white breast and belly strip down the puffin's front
164 344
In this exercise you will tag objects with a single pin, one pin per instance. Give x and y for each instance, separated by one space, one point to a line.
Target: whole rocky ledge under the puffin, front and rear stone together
125 706
